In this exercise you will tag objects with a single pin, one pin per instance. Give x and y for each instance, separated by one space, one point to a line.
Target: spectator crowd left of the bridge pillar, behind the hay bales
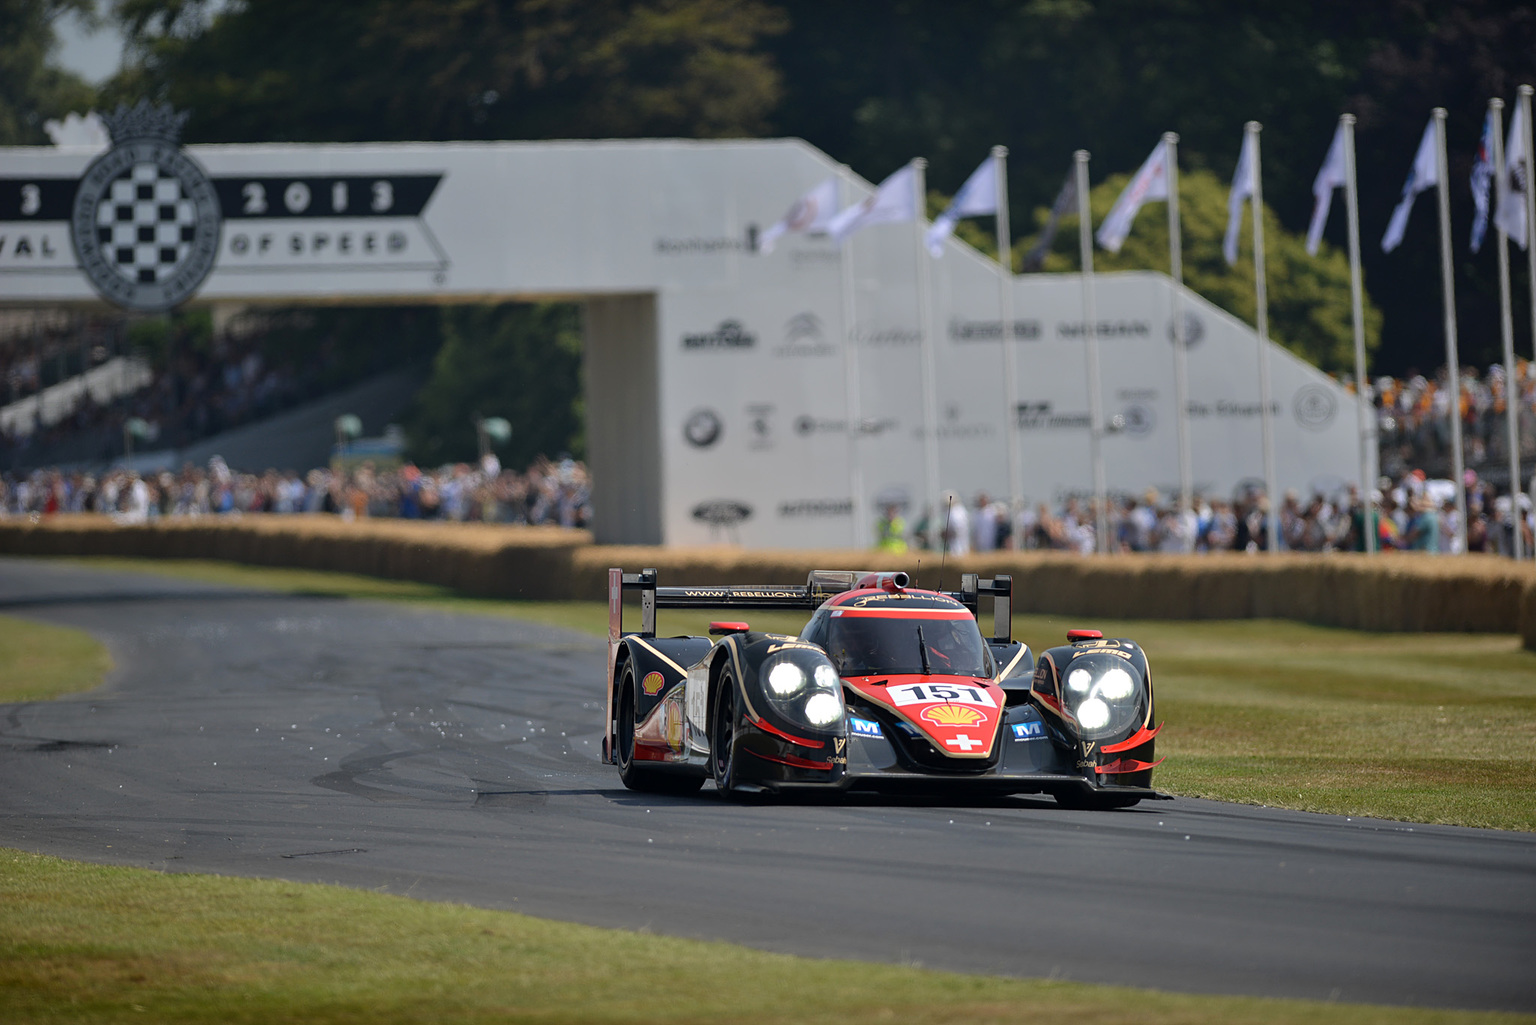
549 493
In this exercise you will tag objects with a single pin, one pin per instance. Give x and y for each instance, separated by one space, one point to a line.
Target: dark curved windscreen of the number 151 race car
870 646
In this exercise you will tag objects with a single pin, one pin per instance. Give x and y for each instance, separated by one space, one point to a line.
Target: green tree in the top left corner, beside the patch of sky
31 88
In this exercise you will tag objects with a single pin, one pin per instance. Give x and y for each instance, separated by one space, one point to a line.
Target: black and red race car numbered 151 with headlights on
887 688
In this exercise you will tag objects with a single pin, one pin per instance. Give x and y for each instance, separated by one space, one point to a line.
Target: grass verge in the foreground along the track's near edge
101 944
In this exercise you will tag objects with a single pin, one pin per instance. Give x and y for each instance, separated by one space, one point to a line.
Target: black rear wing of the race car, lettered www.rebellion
819 586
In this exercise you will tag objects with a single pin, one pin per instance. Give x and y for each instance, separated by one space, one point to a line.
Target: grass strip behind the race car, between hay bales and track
1434 728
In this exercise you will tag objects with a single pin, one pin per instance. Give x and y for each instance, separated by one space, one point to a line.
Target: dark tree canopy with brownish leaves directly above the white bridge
426 70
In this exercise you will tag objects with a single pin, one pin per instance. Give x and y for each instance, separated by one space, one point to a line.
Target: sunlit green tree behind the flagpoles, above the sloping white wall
1309 297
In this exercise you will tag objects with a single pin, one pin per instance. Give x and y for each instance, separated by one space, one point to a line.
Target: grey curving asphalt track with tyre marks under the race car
455 758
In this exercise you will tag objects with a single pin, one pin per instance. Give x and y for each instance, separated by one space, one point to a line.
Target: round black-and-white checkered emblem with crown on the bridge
147 219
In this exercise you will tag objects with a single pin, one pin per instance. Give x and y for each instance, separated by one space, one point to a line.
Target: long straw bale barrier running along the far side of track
1406 594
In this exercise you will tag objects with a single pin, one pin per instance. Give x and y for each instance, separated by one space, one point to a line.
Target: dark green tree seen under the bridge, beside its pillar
517 362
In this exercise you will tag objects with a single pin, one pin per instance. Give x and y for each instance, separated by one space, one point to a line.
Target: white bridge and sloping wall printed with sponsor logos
749 425
